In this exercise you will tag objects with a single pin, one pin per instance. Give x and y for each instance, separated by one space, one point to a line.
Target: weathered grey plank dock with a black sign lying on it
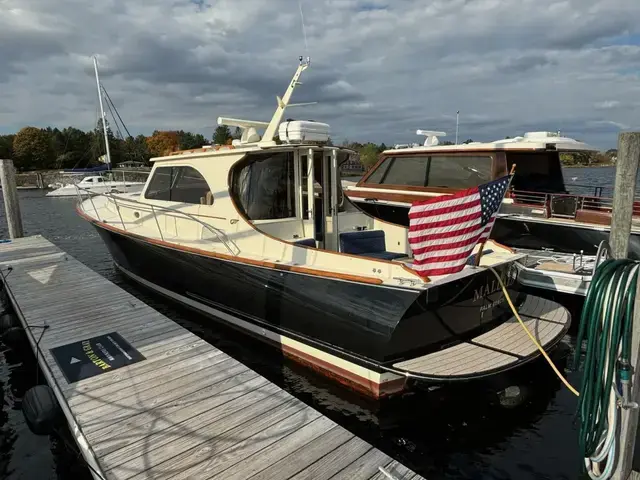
186 409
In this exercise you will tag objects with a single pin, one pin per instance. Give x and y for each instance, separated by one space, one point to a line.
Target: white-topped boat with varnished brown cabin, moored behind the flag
539 212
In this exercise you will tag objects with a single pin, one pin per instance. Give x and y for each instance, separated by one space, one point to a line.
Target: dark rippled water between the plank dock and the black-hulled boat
447 433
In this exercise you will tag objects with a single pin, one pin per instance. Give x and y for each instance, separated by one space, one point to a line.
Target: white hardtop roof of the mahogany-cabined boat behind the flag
528 141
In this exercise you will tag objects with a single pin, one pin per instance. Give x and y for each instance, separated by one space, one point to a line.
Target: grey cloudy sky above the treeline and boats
380 68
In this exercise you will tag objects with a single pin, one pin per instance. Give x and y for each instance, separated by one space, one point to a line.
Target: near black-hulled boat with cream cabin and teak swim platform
258 234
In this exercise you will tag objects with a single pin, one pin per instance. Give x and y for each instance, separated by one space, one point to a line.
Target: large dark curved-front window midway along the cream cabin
264 186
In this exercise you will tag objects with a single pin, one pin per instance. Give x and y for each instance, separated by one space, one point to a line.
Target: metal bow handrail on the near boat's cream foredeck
220 234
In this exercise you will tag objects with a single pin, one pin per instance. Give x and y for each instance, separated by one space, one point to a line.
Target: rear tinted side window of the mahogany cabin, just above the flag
459 172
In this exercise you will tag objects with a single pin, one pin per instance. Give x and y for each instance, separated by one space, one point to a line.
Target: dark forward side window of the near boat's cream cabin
177 184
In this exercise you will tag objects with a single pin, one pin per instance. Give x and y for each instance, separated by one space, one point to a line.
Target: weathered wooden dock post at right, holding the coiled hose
625 187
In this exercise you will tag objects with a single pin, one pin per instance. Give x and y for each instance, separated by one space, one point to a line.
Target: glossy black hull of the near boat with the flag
347 330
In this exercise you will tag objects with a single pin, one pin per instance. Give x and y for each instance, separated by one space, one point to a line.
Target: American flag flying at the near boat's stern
444 230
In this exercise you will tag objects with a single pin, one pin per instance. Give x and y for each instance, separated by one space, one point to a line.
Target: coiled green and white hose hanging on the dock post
605 326
